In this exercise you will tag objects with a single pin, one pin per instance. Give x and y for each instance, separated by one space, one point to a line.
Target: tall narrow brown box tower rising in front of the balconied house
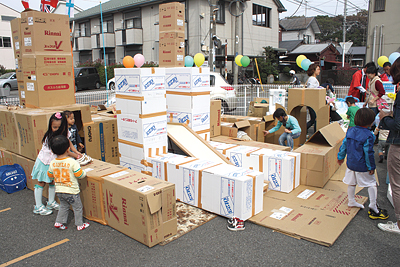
172 35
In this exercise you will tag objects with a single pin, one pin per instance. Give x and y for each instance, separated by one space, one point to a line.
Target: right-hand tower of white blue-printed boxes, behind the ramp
188 98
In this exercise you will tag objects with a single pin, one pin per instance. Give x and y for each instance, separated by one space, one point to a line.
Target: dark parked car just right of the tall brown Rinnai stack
86 78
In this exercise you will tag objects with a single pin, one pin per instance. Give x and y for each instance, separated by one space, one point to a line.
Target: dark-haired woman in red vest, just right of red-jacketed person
375 88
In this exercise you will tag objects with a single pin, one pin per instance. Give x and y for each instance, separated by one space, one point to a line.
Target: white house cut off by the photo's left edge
6 45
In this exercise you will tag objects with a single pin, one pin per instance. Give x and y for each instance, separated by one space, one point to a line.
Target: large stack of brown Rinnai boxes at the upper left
43 58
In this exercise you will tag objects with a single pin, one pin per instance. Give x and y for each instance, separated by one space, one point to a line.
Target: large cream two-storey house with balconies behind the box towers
131 27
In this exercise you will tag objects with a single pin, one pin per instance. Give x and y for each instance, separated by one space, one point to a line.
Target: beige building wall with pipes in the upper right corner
383 26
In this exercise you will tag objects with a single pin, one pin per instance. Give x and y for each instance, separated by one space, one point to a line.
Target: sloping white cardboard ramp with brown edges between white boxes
192 144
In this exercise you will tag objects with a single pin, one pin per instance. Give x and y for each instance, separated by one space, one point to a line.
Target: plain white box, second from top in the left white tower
144 105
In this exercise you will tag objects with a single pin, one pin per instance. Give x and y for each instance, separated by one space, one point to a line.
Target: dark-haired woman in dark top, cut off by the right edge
393 163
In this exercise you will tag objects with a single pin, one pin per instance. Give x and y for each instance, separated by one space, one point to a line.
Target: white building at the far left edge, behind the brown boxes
7 53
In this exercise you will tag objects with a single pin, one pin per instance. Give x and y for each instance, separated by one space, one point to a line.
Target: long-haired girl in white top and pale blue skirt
57 126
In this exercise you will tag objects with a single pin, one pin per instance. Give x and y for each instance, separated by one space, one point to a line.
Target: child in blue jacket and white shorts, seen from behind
358 145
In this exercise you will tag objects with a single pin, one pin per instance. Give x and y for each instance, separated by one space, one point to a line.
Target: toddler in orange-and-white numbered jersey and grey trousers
65 171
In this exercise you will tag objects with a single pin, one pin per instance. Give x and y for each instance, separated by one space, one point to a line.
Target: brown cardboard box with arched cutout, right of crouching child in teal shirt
307 97
